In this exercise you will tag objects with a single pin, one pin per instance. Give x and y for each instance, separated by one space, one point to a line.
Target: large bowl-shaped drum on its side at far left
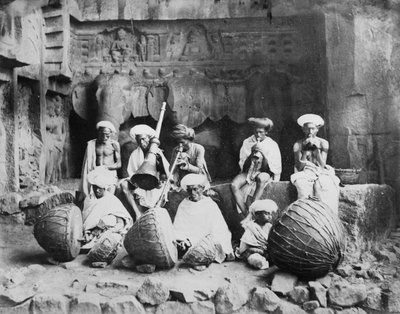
59 232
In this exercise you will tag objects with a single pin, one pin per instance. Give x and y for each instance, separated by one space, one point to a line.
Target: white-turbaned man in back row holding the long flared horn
140 199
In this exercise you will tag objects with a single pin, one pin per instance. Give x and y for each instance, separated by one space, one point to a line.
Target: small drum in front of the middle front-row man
203 253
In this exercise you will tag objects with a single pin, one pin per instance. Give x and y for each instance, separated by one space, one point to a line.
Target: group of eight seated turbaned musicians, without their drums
198 215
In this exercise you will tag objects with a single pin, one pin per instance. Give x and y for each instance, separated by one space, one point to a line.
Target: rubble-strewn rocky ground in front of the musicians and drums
368 280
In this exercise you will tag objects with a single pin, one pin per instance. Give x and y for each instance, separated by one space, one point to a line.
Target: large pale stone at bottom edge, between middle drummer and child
230 298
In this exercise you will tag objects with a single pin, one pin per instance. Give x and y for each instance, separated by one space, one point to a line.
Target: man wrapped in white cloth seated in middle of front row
198 216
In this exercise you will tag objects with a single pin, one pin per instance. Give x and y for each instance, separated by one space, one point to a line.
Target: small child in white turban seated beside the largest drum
257 225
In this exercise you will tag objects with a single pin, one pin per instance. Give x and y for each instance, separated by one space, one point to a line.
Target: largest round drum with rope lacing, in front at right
307 239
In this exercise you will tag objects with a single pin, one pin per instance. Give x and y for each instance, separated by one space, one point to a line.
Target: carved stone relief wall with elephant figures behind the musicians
212 69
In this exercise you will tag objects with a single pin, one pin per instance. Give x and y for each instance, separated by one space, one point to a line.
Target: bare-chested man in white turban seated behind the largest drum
313 177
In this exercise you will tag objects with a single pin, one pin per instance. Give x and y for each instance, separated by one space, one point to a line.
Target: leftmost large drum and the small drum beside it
60 232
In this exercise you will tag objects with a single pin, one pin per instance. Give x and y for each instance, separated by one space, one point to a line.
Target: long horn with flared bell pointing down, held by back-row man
146 177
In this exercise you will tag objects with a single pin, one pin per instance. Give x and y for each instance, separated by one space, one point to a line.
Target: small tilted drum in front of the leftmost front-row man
106 248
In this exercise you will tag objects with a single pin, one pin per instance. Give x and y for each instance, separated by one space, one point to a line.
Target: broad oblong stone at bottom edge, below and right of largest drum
345 294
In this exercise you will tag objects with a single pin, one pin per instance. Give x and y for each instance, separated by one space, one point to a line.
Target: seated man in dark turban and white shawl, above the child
260 162
